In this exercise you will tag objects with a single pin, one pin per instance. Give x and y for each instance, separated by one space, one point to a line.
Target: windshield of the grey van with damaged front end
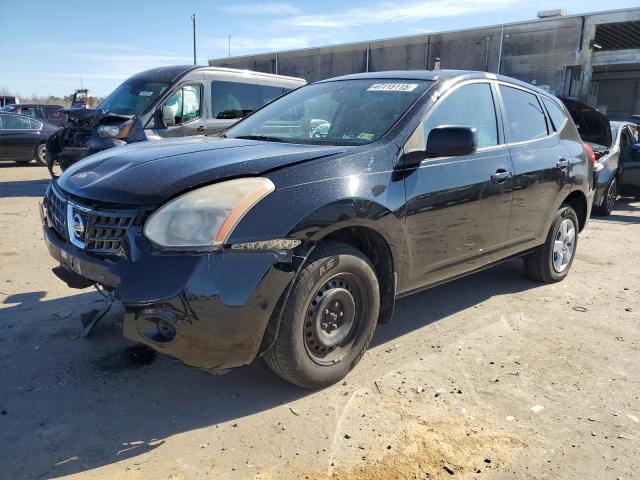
133 97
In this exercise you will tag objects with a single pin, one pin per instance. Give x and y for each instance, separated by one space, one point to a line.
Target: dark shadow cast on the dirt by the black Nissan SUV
71 404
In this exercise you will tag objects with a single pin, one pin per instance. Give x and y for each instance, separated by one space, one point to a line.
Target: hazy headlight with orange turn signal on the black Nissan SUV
204 218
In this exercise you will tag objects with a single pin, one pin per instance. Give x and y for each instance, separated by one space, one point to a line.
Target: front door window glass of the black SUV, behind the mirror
455 110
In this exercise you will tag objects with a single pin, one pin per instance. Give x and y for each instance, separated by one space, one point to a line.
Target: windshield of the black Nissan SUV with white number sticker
347 112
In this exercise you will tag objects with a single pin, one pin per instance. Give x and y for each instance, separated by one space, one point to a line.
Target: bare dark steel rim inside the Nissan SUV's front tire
329 345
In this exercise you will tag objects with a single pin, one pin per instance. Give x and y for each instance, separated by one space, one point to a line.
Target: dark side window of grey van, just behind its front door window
233 100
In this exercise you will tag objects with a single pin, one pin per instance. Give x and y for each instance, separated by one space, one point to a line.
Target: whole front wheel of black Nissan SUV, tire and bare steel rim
314 347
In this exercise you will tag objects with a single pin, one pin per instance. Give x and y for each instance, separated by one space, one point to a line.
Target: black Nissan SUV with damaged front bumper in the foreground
292 237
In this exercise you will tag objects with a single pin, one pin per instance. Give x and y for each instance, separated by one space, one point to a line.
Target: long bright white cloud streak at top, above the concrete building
395 12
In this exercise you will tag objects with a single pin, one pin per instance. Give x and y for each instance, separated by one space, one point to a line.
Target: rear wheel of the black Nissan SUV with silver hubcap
546 265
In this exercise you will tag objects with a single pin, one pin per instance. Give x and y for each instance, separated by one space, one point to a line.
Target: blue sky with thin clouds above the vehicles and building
47 46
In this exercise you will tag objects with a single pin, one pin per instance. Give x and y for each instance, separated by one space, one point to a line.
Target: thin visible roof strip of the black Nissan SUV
435 75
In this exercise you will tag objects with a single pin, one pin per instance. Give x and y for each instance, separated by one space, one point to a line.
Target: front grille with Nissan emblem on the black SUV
95 230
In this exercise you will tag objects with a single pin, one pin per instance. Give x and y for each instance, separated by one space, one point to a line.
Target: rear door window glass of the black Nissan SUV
524 116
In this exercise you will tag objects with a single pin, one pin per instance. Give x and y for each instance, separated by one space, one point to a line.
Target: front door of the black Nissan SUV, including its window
458 208
